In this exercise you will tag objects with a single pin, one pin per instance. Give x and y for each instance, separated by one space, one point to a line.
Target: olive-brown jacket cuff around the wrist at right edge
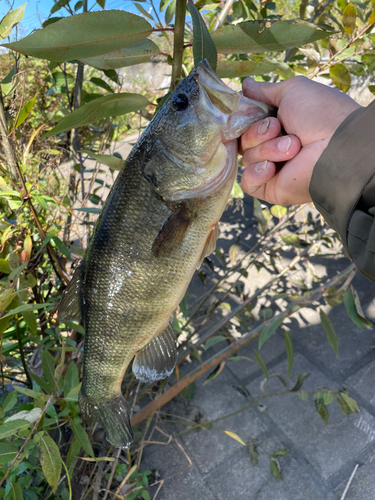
344 169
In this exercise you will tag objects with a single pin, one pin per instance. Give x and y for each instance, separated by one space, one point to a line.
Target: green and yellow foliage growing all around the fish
65 103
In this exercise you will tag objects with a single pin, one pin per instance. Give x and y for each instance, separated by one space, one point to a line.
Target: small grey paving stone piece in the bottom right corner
363 484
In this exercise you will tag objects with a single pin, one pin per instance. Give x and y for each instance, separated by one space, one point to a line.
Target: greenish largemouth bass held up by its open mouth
158 223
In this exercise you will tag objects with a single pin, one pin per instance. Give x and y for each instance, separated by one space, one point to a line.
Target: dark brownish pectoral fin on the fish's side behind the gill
173 232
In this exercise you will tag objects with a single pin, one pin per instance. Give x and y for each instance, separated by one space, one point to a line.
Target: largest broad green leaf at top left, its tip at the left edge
84 35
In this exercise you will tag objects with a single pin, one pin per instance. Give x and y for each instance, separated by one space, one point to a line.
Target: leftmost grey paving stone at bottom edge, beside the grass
186 483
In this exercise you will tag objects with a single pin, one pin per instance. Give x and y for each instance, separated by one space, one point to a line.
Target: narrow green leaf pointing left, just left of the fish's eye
109 105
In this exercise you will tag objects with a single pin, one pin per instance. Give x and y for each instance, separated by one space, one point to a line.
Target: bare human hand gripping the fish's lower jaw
310 113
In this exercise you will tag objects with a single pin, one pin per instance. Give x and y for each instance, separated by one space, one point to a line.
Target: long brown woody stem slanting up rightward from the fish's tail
233 348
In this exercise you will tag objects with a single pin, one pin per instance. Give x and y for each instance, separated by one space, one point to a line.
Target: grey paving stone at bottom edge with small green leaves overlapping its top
238 479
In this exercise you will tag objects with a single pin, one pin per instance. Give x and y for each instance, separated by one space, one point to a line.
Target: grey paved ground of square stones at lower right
208 464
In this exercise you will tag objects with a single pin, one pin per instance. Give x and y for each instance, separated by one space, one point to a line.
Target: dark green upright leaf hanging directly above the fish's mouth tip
203 46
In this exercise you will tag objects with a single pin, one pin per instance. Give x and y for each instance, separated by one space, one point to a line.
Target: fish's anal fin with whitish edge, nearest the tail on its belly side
158 359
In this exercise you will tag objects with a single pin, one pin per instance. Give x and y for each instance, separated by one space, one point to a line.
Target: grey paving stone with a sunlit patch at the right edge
328 448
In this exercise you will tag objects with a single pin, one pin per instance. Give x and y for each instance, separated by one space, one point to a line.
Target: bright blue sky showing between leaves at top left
39 9
